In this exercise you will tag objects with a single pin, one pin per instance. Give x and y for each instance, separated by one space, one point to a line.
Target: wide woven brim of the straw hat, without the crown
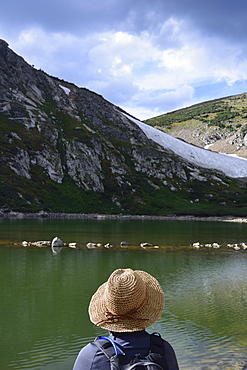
141 319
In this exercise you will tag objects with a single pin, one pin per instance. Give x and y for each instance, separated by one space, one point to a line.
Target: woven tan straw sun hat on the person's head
129 301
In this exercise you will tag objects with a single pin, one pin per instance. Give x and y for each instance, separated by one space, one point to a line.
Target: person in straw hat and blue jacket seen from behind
128 303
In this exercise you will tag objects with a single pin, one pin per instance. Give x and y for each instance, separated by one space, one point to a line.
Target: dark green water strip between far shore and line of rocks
163 233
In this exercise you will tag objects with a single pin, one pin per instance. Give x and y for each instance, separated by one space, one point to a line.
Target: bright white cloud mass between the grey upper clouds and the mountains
148 72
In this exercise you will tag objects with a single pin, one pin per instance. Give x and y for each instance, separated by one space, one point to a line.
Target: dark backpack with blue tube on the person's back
155 360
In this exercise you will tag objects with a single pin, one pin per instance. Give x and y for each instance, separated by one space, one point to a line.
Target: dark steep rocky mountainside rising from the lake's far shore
67 149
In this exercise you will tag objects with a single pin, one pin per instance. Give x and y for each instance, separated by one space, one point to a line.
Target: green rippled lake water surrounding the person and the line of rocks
44 297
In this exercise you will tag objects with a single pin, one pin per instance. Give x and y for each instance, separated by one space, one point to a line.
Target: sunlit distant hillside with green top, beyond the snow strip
218 125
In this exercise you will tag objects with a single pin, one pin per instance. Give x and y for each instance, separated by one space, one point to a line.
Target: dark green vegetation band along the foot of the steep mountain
150 195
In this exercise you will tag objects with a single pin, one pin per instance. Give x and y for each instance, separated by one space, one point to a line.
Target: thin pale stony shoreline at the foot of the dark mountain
94 216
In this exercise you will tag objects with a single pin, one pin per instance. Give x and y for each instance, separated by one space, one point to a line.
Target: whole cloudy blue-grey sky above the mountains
147 56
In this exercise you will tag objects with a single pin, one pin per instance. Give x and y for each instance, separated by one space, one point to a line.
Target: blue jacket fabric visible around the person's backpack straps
92 358
